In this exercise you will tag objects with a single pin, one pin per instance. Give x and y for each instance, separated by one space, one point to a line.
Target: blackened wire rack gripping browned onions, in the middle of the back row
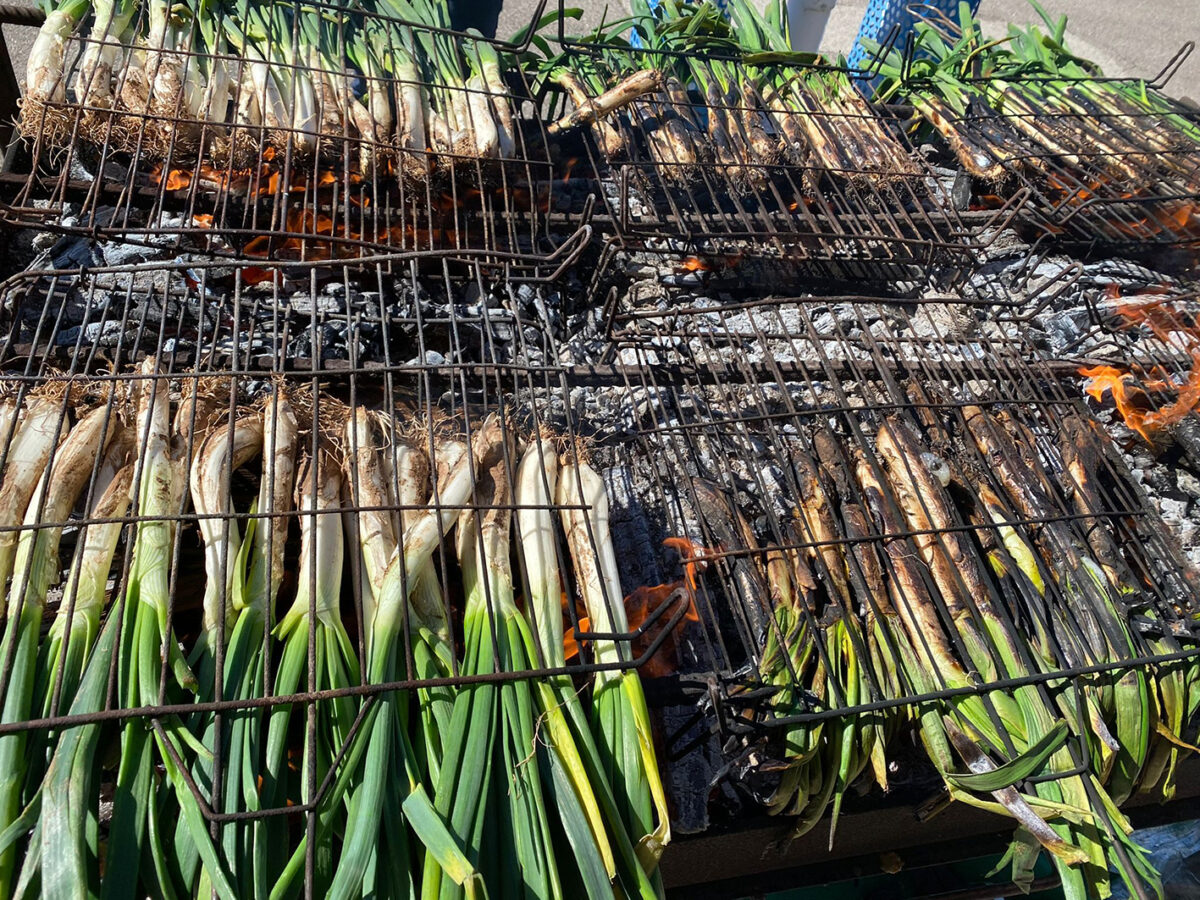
878 220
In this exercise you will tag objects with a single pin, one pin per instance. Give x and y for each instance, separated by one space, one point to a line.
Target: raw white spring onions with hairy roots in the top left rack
219 81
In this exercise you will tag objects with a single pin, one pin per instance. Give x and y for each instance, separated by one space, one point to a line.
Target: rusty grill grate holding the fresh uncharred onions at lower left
416 407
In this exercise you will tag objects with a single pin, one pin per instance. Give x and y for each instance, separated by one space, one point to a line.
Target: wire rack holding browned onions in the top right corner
1103 163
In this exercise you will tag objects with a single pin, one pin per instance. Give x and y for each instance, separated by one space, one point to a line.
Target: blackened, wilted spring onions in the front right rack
908 578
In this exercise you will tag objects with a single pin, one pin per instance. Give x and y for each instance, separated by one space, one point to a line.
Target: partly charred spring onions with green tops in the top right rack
1024 100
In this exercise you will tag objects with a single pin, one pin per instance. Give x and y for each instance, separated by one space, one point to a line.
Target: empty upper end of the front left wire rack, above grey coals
249 315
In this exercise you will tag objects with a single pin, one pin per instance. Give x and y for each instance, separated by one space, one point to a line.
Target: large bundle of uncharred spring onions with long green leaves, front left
434 790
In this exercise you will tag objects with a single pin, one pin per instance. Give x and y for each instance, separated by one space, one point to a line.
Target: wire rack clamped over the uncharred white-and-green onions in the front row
311 675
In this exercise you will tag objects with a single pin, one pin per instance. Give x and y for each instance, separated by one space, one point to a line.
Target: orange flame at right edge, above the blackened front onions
1131 389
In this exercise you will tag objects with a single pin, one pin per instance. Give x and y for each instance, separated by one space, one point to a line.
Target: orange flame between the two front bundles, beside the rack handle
646 601
